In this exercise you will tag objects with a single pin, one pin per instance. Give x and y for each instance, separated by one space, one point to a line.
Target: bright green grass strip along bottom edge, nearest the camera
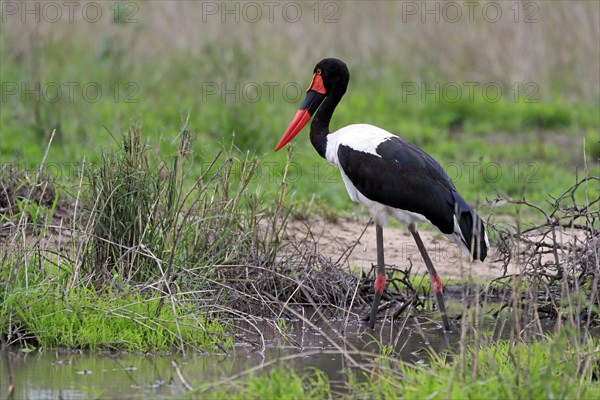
562 366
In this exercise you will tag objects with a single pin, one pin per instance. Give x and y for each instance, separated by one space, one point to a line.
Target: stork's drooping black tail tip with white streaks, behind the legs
471 227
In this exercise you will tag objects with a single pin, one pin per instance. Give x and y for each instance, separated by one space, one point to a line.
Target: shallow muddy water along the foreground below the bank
69 375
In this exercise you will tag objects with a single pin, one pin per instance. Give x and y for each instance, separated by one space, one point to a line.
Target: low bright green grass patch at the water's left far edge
87 319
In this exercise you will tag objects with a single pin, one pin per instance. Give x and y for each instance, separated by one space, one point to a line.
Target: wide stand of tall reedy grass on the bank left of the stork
147 224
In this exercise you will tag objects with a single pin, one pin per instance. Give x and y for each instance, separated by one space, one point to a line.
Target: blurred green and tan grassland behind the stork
240 69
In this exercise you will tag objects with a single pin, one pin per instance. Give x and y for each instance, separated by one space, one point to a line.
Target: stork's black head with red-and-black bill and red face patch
330 79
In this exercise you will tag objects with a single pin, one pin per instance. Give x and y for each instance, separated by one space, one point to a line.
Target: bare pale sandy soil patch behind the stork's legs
337 237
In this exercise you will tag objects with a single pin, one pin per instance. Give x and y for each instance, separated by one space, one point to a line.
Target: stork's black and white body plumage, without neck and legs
392 177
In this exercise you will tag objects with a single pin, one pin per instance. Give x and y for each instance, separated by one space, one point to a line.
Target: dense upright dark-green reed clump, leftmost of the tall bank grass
133 205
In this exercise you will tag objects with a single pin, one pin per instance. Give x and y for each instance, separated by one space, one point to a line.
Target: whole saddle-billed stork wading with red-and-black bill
389 176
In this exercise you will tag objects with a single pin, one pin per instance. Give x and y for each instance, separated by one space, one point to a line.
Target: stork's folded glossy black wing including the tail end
406 177
